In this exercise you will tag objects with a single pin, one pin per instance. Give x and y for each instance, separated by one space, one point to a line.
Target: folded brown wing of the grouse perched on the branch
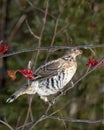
49 69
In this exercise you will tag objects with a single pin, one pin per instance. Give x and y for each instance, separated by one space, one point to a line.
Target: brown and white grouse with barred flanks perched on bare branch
51 77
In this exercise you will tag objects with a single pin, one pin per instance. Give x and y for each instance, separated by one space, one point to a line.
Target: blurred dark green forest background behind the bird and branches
26 24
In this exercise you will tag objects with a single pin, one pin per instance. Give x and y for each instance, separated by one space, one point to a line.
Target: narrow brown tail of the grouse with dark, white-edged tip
18 93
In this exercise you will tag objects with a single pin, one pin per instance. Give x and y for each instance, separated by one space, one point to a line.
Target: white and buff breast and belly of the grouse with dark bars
55 83
